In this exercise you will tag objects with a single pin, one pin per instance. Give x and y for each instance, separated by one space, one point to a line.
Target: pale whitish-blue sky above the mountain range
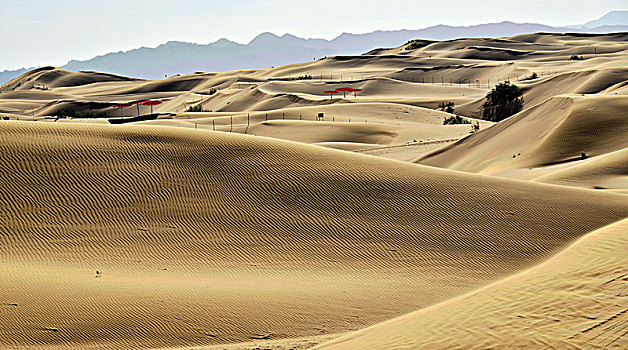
51 32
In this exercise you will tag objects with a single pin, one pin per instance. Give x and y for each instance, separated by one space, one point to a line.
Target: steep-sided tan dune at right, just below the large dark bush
553 132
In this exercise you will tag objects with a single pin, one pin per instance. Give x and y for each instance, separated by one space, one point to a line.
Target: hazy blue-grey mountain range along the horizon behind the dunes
268 49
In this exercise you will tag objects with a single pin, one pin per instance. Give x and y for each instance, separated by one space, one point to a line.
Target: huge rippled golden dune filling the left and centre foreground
139 236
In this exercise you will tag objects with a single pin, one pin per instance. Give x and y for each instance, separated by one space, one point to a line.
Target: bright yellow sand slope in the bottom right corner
576 300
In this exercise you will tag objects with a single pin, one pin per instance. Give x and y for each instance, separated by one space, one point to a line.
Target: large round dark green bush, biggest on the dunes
503 101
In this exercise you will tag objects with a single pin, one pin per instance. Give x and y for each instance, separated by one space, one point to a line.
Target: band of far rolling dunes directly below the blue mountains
418 74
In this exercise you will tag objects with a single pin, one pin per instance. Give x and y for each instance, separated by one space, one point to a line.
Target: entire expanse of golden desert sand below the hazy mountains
254 224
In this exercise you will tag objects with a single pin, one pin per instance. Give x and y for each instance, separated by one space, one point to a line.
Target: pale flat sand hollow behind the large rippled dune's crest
348 126
